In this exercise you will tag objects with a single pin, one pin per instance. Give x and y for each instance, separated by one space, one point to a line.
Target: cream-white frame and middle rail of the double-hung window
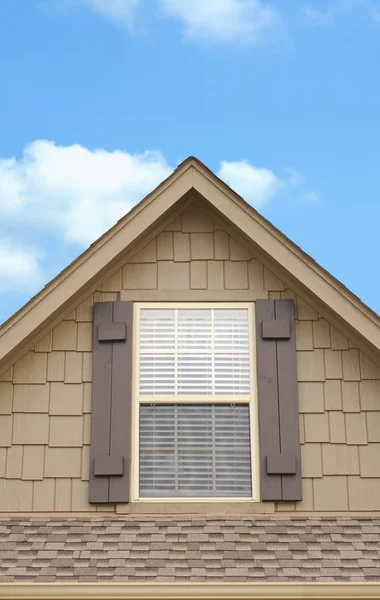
250 399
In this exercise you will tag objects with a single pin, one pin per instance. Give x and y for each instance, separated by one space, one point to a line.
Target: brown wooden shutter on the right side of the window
280 454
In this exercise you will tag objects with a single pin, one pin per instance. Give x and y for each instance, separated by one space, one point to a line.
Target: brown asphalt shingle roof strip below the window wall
175 549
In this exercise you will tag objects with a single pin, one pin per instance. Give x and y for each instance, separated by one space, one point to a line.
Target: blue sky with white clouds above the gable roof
101 99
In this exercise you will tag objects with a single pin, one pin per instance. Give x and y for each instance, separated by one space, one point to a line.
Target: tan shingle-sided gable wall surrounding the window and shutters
45 399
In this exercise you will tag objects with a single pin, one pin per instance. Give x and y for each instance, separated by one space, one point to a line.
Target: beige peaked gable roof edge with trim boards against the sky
306 277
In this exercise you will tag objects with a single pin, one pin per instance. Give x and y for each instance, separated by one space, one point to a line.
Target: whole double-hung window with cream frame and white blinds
195 415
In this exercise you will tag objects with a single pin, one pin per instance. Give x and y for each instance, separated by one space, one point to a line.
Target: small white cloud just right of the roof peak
255 184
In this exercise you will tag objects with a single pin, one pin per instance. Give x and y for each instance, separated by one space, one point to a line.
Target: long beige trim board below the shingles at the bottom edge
161 591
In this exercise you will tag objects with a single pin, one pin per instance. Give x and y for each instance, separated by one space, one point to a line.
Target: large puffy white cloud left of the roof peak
73 190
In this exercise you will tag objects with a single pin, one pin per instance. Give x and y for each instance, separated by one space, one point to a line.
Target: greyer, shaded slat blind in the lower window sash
195 450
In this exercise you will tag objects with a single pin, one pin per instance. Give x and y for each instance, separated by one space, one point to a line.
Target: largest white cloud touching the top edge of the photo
242 21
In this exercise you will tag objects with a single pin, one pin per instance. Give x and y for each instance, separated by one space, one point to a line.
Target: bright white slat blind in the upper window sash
194 352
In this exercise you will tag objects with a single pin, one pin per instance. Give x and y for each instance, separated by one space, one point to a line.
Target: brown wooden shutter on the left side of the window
111 402
